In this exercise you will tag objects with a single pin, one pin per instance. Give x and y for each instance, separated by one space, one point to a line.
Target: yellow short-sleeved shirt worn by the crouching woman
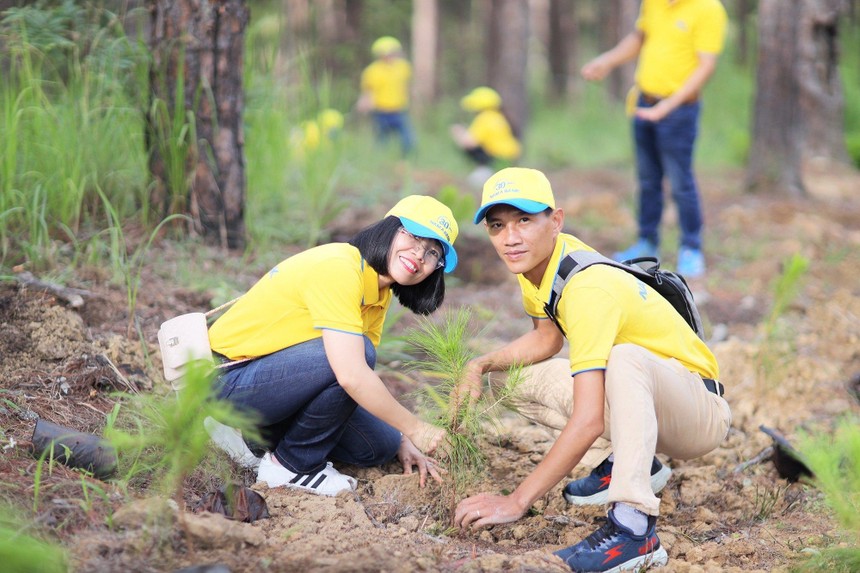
327 287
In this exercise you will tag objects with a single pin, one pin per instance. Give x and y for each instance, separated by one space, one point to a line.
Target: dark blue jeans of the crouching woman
305 412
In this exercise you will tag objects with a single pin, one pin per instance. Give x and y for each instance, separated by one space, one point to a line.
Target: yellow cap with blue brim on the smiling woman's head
427 217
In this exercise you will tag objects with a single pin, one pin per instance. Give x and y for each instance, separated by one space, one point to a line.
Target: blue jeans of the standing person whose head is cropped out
665 149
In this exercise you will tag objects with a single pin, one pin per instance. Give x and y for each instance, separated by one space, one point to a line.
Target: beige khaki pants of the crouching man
653 405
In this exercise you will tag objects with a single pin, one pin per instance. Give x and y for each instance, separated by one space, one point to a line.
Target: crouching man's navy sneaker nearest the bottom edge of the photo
614 548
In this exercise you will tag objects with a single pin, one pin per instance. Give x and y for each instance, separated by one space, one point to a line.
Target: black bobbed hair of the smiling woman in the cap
374 244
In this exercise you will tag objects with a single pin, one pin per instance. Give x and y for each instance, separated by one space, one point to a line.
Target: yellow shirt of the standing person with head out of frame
676 31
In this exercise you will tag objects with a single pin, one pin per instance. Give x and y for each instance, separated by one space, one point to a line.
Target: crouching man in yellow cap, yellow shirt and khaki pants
638 381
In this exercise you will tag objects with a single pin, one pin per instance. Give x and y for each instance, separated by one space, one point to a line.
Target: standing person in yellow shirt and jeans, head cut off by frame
678 43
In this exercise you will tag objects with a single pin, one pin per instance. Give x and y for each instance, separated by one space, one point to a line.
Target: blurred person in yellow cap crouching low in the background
489 140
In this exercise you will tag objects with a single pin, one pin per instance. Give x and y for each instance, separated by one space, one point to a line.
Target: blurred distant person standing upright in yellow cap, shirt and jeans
385 92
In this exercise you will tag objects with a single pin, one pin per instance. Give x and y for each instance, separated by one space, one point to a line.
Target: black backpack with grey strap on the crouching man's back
669 285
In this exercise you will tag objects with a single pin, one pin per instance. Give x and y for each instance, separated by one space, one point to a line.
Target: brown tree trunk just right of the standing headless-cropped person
775 156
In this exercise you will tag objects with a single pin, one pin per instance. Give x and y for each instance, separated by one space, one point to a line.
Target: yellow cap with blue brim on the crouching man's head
526 189
